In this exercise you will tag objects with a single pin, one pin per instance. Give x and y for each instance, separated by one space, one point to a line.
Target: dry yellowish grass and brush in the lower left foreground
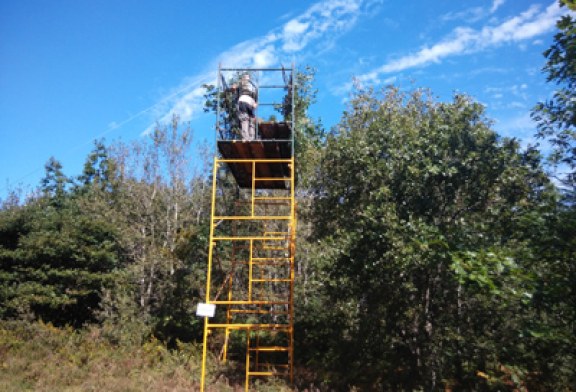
39 357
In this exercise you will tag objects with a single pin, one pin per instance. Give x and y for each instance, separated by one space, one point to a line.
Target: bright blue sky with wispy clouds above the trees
75 71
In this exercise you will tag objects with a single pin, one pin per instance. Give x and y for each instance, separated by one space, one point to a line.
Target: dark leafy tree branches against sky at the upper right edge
556 117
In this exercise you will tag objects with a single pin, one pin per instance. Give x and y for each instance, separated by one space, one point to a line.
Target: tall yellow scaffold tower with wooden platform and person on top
249 300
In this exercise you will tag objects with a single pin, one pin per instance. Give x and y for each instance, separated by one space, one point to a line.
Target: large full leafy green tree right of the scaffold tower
417 208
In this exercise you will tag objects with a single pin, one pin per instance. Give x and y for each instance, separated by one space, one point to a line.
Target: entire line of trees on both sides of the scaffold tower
433 254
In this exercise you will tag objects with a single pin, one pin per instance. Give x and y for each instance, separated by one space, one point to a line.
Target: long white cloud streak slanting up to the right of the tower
463 40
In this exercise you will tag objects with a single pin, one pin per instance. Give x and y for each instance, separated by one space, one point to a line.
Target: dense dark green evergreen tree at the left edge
55 259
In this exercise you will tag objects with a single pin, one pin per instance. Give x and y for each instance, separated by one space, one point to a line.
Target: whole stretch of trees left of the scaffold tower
123 244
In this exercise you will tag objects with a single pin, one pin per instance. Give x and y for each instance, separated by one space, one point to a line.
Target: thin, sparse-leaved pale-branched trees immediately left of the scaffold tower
161 211
